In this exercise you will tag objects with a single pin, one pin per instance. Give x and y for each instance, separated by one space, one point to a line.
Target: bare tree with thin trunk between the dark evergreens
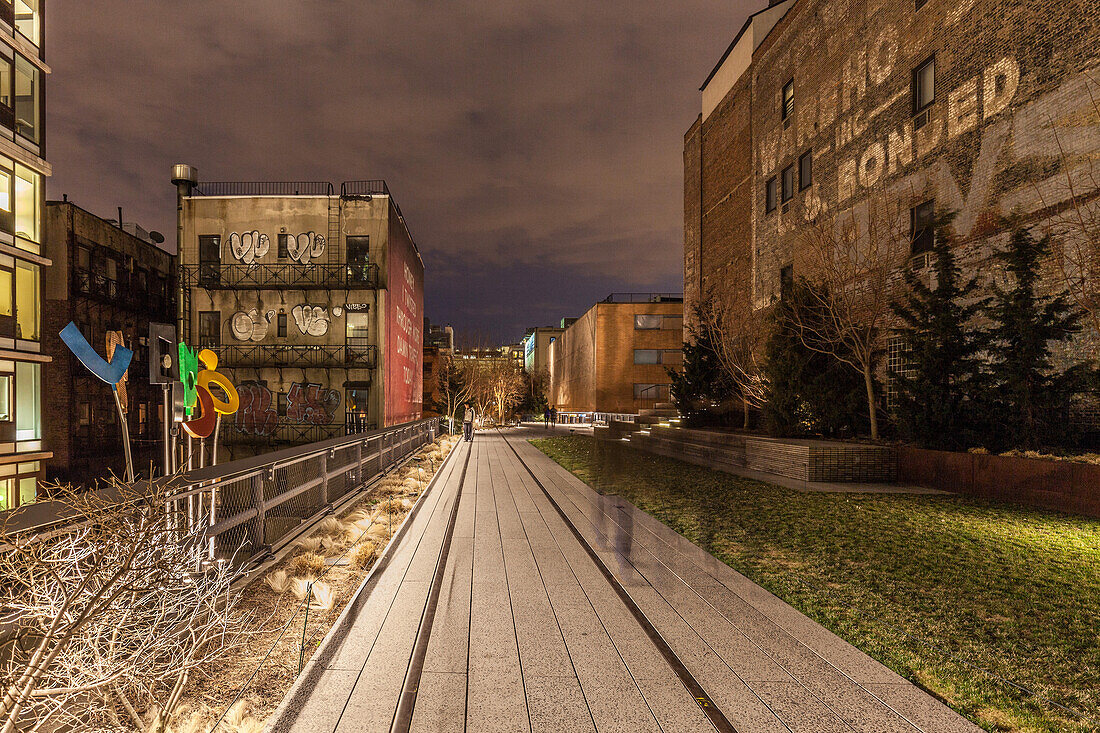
853 261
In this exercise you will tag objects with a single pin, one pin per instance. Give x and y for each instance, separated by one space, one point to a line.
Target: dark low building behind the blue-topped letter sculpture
108 281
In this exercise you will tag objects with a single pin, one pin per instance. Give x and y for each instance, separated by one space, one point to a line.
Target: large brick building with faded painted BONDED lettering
982 108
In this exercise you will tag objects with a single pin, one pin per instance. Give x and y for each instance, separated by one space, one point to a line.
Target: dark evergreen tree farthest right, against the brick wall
1030 393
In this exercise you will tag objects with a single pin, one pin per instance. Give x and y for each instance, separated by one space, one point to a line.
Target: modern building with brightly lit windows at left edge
23 170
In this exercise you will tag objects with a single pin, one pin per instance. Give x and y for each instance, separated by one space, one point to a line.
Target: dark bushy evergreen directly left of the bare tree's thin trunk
809 392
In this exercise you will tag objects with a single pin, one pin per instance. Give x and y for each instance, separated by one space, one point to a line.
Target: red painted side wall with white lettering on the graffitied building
404 377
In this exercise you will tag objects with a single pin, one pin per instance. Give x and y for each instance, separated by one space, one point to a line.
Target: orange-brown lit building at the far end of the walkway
615 358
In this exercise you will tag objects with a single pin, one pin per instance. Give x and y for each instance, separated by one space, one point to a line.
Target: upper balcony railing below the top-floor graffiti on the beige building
281 277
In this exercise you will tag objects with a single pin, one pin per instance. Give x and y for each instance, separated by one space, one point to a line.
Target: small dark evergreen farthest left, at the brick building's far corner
701 388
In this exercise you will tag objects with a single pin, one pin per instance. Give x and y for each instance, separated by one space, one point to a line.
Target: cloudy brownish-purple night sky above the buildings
535 148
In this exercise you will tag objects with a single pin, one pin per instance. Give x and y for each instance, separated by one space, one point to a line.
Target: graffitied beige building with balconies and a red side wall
312 298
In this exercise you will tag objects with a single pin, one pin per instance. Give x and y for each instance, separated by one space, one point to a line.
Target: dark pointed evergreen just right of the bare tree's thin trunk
937 392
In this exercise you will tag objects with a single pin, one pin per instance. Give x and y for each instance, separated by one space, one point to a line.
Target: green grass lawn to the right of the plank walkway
927 585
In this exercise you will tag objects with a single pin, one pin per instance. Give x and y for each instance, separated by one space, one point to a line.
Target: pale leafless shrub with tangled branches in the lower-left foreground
111 617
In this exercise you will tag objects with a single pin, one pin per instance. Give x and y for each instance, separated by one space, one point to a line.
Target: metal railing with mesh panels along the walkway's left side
255 506
